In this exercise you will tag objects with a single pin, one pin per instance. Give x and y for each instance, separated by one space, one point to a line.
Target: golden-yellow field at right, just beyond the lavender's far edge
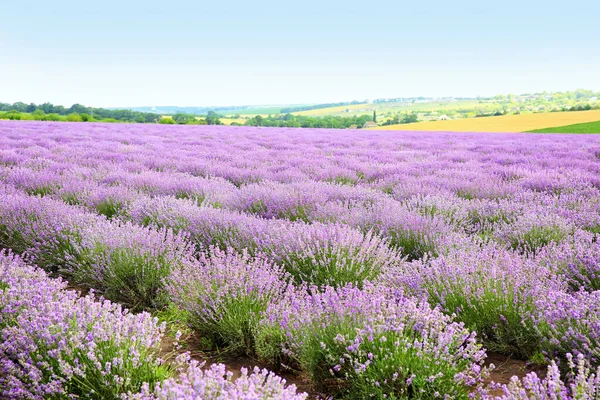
504 123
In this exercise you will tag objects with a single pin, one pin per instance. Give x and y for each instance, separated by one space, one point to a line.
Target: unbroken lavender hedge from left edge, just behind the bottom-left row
125 262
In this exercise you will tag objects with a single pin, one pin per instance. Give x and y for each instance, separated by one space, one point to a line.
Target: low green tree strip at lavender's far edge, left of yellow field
300 121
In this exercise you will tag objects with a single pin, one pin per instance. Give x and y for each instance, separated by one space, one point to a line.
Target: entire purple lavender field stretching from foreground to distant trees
370 264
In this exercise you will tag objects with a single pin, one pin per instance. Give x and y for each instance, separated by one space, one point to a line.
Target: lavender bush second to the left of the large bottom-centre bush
128 263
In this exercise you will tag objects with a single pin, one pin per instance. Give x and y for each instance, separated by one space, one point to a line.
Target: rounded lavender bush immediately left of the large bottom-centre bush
225 293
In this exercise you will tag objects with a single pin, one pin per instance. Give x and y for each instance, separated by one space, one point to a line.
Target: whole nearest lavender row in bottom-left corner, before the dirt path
56 344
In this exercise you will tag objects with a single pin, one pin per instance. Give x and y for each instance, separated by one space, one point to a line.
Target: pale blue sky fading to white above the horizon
194 53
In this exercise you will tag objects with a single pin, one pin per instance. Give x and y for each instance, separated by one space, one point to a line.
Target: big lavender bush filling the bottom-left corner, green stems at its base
55 344
